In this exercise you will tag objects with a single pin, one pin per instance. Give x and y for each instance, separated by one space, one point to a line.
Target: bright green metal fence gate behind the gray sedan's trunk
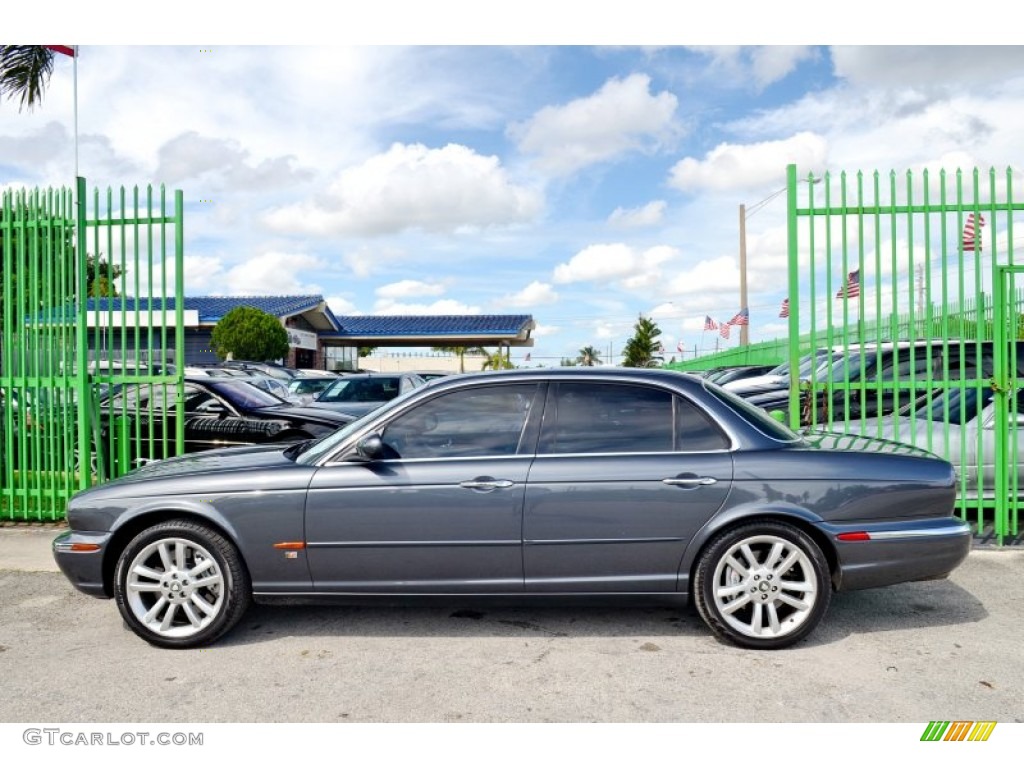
907 285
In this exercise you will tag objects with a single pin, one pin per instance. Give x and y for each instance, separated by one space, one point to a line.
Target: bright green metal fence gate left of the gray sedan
92 306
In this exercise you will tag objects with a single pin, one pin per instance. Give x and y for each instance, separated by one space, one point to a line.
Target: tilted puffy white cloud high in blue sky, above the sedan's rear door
622 117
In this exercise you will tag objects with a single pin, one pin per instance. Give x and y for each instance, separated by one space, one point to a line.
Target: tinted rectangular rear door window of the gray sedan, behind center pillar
598 418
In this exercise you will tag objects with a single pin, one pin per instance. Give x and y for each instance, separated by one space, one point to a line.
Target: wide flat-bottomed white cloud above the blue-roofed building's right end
411 187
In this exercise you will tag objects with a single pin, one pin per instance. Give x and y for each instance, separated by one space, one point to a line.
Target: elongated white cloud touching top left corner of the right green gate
750 166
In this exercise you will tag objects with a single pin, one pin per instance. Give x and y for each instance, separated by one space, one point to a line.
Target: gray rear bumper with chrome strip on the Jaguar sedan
898 552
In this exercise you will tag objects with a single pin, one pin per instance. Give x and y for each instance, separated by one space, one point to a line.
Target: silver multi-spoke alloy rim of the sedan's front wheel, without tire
176 588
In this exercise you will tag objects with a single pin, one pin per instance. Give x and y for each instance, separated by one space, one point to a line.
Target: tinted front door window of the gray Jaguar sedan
487 421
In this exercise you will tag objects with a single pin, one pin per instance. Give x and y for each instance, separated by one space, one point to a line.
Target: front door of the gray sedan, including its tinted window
441 511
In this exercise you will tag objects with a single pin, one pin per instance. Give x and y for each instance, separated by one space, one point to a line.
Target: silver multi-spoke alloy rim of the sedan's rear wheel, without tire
765 587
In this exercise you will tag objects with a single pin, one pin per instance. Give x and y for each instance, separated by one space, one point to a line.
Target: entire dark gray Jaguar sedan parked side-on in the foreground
533 484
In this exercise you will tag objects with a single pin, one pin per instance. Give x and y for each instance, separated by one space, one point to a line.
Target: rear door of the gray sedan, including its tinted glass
625 477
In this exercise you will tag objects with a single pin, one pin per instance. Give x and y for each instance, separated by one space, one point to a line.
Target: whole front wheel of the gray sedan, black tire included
190 585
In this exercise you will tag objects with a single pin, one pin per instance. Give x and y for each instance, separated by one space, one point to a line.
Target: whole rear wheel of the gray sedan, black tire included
762 585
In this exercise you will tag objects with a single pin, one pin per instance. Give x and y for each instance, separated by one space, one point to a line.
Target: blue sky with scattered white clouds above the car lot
401 174
